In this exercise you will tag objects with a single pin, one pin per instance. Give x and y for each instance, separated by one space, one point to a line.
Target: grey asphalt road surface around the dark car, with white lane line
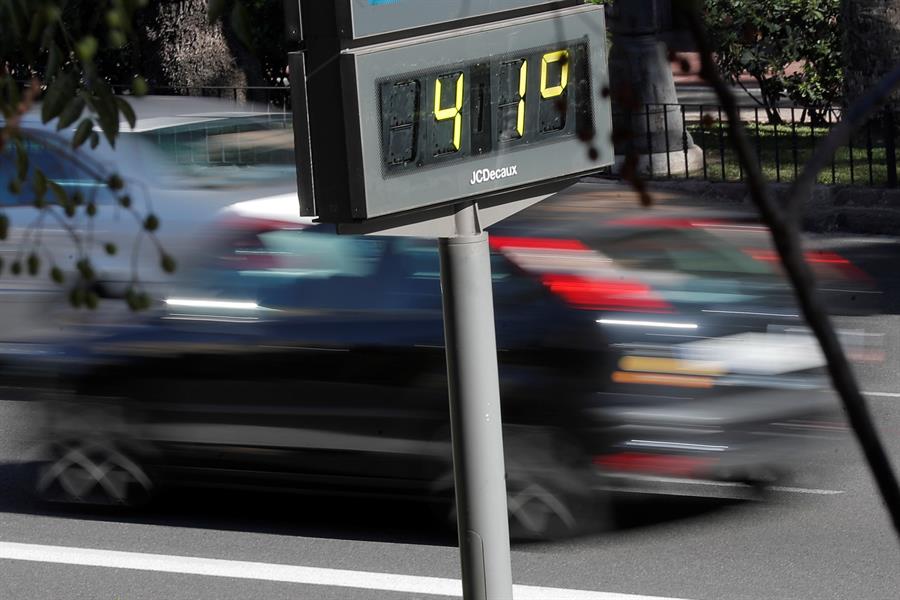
824 535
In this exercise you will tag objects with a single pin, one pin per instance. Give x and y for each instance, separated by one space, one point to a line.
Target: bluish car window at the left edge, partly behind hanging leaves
58 166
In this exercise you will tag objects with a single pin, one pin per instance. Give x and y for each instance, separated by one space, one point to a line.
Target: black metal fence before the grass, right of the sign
694 142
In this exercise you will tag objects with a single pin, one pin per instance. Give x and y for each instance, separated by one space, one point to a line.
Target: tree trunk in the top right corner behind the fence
871 45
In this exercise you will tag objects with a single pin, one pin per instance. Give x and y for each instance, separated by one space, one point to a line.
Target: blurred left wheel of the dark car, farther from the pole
96 473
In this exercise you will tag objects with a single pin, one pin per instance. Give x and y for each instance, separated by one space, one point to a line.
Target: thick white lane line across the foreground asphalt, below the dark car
215 567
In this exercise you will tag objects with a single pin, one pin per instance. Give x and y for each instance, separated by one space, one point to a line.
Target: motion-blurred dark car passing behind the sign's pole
298 359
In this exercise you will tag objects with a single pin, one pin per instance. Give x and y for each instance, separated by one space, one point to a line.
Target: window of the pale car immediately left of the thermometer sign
230 151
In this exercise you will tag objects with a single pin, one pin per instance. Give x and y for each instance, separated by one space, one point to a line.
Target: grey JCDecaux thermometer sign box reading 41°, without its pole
390 125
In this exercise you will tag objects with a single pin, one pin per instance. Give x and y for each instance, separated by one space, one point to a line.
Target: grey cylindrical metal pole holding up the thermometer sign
475 426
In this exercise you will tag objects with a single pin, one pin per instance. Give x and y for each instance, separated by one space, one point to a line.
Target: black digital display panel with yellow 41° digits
475 108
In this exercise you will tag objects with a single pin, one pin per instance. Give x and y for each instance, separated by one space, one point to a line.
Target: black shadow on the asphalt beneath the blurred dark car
357 518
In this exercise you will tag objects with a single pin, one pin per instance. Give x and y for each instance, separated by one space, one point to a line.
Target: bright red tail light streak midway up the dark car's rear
601 294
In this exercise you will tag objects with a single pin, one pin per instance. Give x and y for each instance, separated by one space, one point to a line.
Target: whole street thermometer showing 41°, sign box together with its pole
439 117
